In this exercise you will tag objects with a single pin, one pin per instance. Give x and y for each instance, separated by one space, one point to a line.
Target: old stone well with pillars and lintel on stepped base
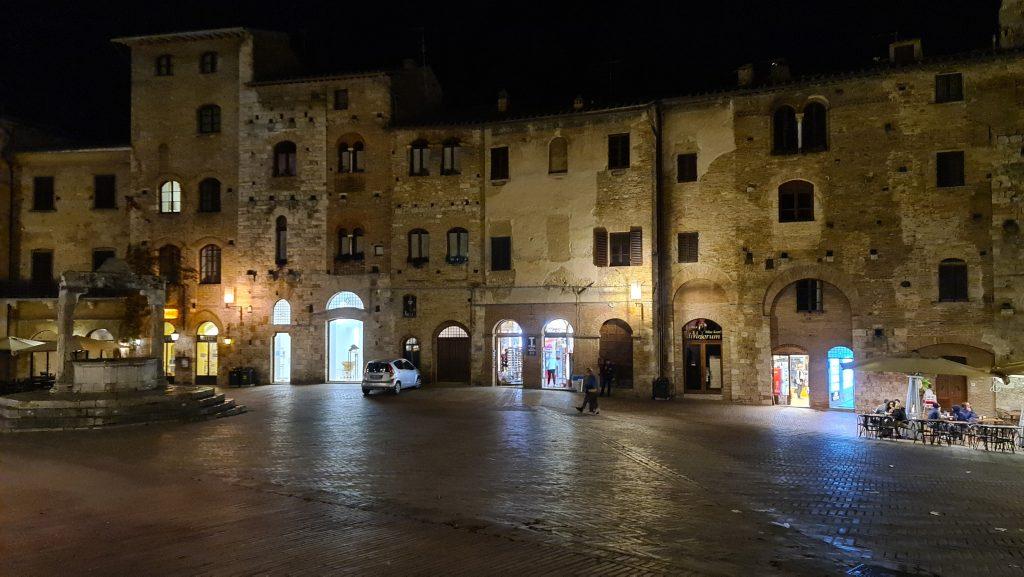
131 390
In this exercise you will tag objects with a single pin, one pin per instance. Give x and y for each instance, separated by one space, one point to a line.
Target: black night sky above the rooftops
60 68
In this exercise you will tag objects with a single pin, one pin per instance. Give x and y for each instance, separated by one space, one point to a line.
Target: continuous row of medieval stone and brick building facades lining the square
744 244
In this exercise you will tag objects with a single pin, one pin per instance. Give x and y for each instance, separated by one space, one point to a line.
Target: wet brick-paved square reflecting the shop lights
318 480
